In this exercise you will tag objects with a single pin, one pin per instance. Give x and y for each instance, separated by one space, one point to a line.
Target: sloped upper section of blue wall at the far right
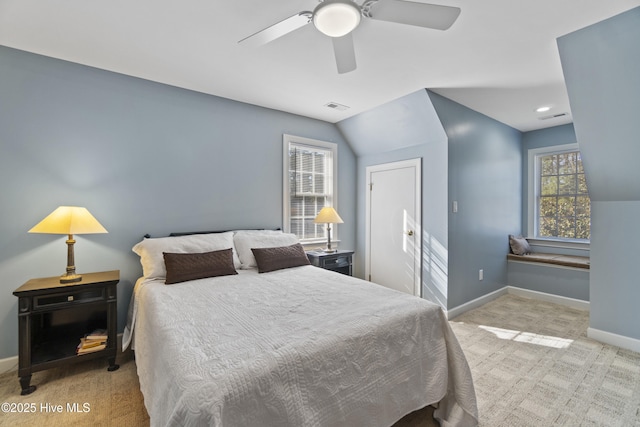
601 64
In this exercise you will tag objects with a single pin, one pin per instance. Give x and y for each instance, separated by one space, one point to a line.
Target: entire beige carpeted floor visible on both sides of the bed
531 361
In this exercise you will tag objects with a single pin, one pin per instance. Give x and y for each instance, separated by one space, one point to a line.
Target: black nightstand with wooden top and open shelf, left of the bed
53 316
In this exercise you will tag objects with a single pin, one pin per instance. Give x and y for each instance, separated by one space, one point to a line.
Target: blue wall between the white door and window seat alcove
485 173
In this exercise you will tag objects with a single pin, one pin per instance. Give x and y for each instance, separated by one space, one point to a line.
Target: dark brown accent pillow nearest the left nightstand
183 267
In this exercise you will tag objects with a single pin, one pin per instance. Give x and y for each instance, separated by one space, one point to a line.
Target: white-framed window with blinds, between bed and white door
309 184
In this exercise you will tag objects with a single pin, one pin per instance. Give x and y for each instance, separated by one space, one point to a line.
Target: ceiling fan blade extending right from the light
411 13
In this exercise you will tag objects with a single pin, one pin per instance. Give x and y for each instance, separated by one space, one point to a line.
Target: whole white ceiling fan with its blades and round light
338 18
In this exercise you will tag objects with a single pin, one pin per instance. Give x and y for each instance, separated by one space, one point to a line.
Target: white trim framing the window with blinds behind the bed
286 196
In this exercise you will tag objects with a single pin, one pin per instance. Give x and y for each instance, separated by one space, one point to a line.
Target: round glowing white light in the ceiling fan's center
336 18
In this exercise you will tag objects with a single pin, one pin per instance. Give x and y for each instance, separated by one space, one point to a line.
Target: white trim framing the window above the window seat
532 191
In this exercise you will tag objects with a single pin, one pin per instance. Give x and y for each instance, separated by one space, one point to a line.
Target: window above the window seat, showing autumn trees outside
561 205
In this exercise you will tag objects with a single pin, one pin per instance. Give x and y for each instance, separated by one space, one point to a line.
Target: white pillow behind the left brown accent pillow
152 260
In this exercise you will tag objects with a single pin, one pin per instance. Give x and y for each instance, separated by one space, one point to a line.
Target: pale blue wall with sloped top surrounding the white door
407 128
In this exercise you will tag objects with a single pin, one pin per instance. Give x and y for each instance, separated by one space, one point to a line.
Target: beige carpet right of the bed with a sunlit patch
533 365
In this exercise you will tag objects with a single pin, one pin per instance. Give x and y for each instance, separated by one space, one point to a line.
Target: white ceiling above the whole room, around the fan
499 58
